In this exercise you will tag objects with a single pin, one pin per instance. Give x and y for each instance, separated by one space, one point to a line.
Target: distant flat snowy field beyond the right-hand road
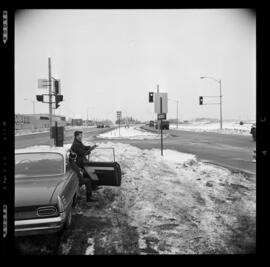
228 127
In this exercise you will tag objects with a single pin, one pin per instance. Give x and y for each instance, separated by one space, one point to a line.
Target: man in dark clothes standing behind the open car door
77 164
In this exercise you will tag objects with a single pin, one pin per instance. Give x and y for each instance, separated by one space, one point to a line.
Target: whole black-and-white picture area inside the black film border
135 131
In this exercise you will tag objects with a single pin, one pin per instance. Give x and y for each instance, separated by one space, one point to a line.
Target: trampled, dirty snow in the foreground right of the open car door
181 205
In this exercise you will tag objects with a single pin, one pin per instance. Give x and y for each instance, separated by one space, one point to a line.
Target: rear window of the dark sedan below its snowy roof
35 164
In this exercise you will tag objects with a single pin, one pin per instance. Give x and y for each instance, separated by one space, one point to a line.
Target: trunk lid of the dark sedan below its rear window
36 190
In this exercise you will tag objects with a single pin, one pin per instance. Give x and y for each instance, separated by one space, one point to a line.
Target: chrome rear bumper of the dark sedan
39 226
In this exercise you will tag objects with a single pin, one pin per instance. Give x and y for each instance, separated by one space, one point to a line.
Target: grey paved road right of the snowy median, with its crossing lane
230 151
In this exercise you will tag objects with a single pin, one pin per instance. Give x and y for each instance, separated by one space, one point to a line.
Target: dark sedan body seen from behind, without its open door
45 191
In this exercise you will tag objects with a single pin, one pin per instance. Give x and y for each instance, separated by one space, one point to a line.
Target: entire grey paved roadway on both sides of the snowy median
232 151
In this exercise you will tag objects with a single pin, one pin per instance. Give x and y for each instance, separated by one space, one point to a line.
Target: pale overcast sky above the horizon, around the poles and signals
108 60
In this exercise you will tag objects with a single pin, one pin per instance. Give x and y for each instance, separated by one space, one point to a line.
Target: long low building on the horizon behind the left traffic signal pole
37 121
